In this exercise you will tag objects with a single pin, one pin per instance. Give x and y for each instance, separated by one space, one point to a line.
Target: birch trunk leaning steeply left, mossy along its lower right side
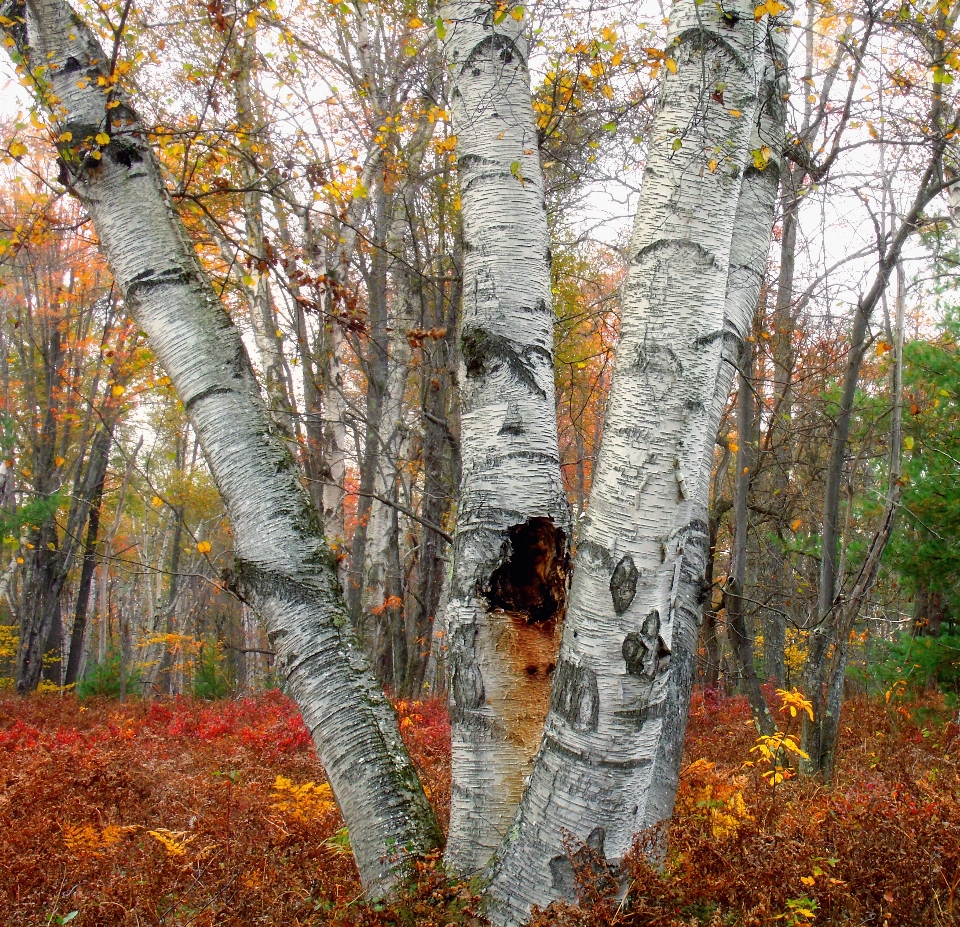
283 564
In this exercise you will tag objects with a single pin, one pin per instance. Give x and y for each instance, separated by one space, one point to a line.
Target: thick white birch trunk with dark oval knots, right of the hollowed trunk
608 765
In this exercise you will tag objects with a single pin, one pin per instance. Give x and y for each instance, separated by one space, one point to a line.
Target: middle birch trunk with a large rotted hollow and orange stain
509 583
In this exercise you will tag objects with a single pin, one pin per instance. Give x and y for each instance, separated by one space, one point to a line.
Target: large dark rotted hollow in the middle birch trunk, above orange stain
532 577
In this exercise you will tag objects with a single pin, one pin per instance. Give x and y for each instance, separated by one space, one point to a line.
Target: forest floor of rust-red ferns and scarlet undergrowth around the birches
199 813
